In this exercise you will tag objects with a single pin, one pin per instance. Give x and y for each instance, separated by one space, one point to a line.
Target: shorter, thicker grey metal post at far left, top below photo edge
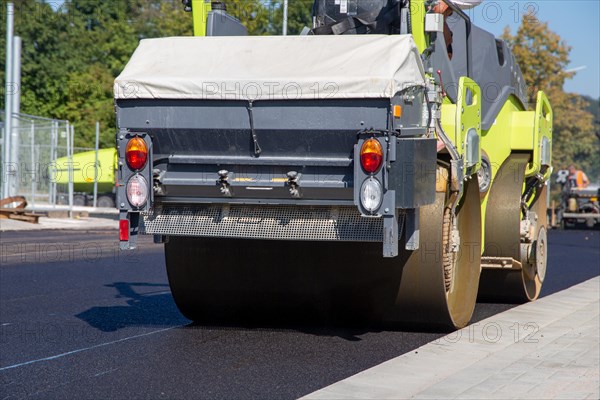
15 145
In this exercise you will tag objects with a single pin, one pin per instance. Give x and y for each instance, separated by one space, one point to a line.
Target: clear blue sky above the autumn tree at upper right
576 21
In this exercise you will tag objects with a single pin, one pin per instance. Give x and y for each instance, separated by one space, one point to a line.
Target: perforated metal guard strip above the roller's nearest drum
263 222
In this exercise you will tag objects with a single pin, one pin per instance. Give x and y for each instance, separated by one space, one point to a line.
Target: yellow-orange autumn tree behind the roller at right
543 58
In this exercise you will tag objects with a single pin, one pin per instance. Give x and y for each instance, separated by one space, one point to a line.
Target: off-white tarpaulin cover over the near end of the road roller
271 68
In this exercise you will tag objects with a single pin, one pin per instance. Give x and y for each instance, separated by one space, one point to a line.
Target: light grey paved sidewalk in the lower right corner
548 349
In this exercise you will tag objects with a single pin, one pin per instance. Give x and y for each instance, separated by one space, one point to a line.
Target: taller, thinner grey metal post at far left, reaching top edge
6 179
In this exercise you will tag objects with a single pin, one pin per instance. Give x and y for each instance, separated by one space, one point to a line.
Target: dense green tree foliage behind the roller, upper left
72 54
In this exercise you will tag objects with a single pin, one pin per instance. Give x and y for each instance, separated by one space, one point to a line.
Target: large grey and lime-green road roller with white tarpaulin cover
355 170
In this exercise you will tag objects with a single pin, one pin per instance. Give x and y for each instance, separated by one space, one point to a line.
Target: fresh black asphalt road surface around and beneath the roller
78 319
